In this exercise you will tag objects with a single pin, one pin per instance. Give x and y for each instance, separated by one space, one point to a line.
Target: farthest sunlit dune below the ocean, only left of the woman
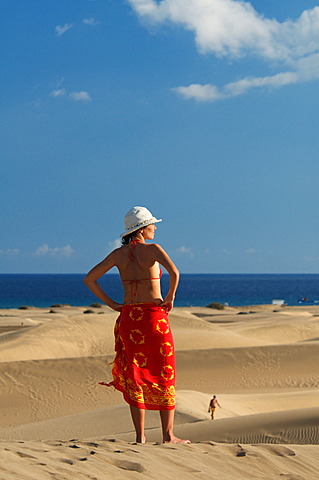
59 336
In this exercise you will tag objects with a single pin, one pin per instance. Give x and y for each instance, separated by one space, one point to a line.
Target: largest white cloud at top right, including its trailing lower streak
234 29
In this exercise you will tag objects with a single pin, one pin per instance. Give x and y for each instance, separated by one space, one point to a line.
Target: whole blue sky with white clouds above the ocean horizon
204 111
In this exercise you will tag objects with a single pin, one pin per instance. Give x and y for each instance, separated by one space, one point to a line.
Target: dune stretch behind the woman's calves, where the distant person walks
247 416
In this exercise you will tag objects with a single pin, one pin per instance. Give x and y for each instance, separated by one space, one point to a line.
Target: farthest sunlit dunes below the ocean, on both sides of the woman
69 333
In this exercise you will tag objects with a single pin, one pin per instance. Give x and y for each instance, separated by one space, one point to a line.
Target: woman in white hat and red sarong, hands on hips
144 366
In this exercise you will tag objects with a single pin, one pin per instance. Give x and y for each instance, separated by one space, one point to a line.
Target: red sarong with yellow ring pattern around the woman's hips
144 365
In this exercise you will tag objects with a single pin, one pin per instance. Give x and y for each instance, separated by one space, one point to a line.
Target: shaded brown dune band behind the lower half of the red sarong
39 389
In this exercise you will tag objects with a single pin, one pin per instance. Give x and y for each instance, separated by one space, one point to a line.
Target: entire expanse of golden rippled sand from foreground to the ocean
261 361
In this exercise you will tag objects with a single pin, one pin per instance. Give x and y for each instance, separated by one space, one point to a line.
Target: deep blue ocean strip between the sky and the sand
44 290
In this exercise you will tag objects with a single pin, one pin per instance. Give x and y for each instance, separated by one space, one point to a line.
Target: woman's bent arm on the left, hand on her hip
91 281
